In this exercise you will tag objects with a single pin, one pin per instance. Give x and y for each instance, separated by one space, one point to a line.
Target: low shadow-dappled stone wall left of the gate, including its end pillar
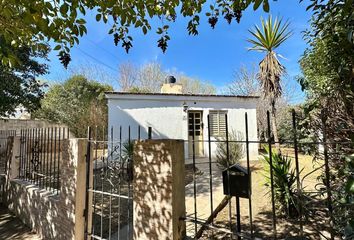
53 216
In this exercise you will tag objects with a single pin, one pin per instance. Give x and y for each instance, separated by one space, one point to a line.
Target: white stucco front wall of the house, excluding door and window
168 120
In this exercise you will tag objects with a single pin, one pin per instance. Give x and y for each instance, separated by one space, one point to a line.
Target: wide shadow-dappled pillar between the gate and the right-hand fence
159 192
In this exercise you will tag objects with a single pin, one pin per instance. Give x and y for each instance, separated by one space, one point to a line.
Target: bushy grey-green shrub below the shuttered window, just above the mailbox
236 150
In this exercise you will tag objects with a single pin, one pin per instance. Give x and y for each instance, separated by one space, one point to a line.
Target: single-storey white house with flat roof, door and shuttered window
171 114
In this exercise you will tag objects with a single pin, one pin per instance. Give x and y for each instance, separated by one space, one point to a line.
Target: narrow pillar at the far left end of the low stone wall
13 157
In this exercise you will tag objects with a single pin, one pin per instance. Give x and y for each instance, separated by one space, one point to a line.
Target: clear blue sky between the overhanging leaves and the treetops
213 55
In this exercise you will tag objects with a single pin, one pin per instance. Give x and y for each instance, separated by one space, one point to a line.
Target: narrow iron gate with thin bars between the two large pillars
109 203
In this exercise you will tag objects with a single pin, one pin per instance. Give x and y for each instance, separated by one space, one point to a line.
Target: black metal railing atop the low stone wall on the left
41 153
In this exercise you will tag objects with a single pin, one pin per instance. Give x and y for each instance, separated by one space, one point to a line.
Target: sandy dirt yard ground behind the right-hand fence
314 227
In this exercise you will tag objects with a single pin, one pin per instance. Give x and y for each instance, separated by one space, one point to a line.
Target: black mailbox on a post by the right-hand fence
238 181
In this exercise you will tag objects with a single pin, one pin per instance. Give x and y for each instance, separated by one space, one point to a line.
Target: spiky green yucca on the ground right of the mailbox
284 181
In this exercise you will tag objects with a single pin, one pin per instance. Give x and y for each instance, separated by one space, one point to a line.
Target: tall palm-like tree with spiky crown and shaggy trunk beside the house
266 39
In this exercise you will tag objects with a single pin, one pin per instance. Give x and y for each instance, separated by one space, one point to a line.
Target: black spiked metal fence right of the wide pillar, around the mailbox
288 193
